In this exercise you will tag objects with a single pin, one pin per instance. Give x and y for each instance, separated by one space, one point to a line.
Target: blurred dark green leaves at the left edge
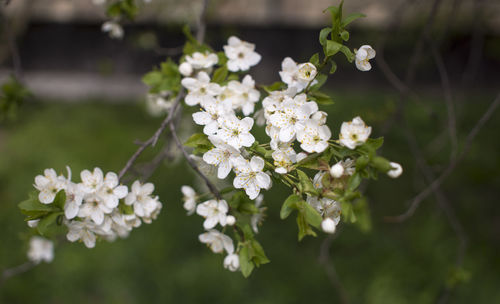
12 95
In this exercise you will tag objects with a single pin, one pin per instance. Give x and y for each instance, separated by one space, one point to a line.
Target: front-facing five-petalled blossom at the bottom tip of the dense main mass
250 177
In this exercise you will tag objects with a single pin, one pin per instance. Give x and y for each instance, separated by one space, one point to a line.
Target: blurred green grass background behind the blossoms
163 262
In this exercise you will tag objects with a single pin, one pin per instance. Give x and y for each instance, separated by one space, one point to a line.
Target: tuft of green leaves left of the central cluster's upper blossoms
166 78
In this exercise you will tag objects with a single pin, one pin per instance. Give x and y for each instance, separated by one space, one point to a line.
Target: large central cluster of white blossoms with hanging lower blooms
227 107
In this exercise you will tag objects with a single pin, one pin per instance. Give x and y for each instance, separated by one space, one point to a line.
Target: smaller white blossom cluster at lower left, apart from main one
96 207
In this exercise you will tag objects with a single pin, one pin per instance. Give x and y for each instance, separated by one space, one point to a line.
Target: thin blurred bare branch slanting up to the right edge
451 166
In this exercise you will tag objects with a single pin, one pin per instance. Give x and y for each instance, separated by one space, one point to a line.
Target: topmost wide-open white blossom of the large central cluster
241 55
